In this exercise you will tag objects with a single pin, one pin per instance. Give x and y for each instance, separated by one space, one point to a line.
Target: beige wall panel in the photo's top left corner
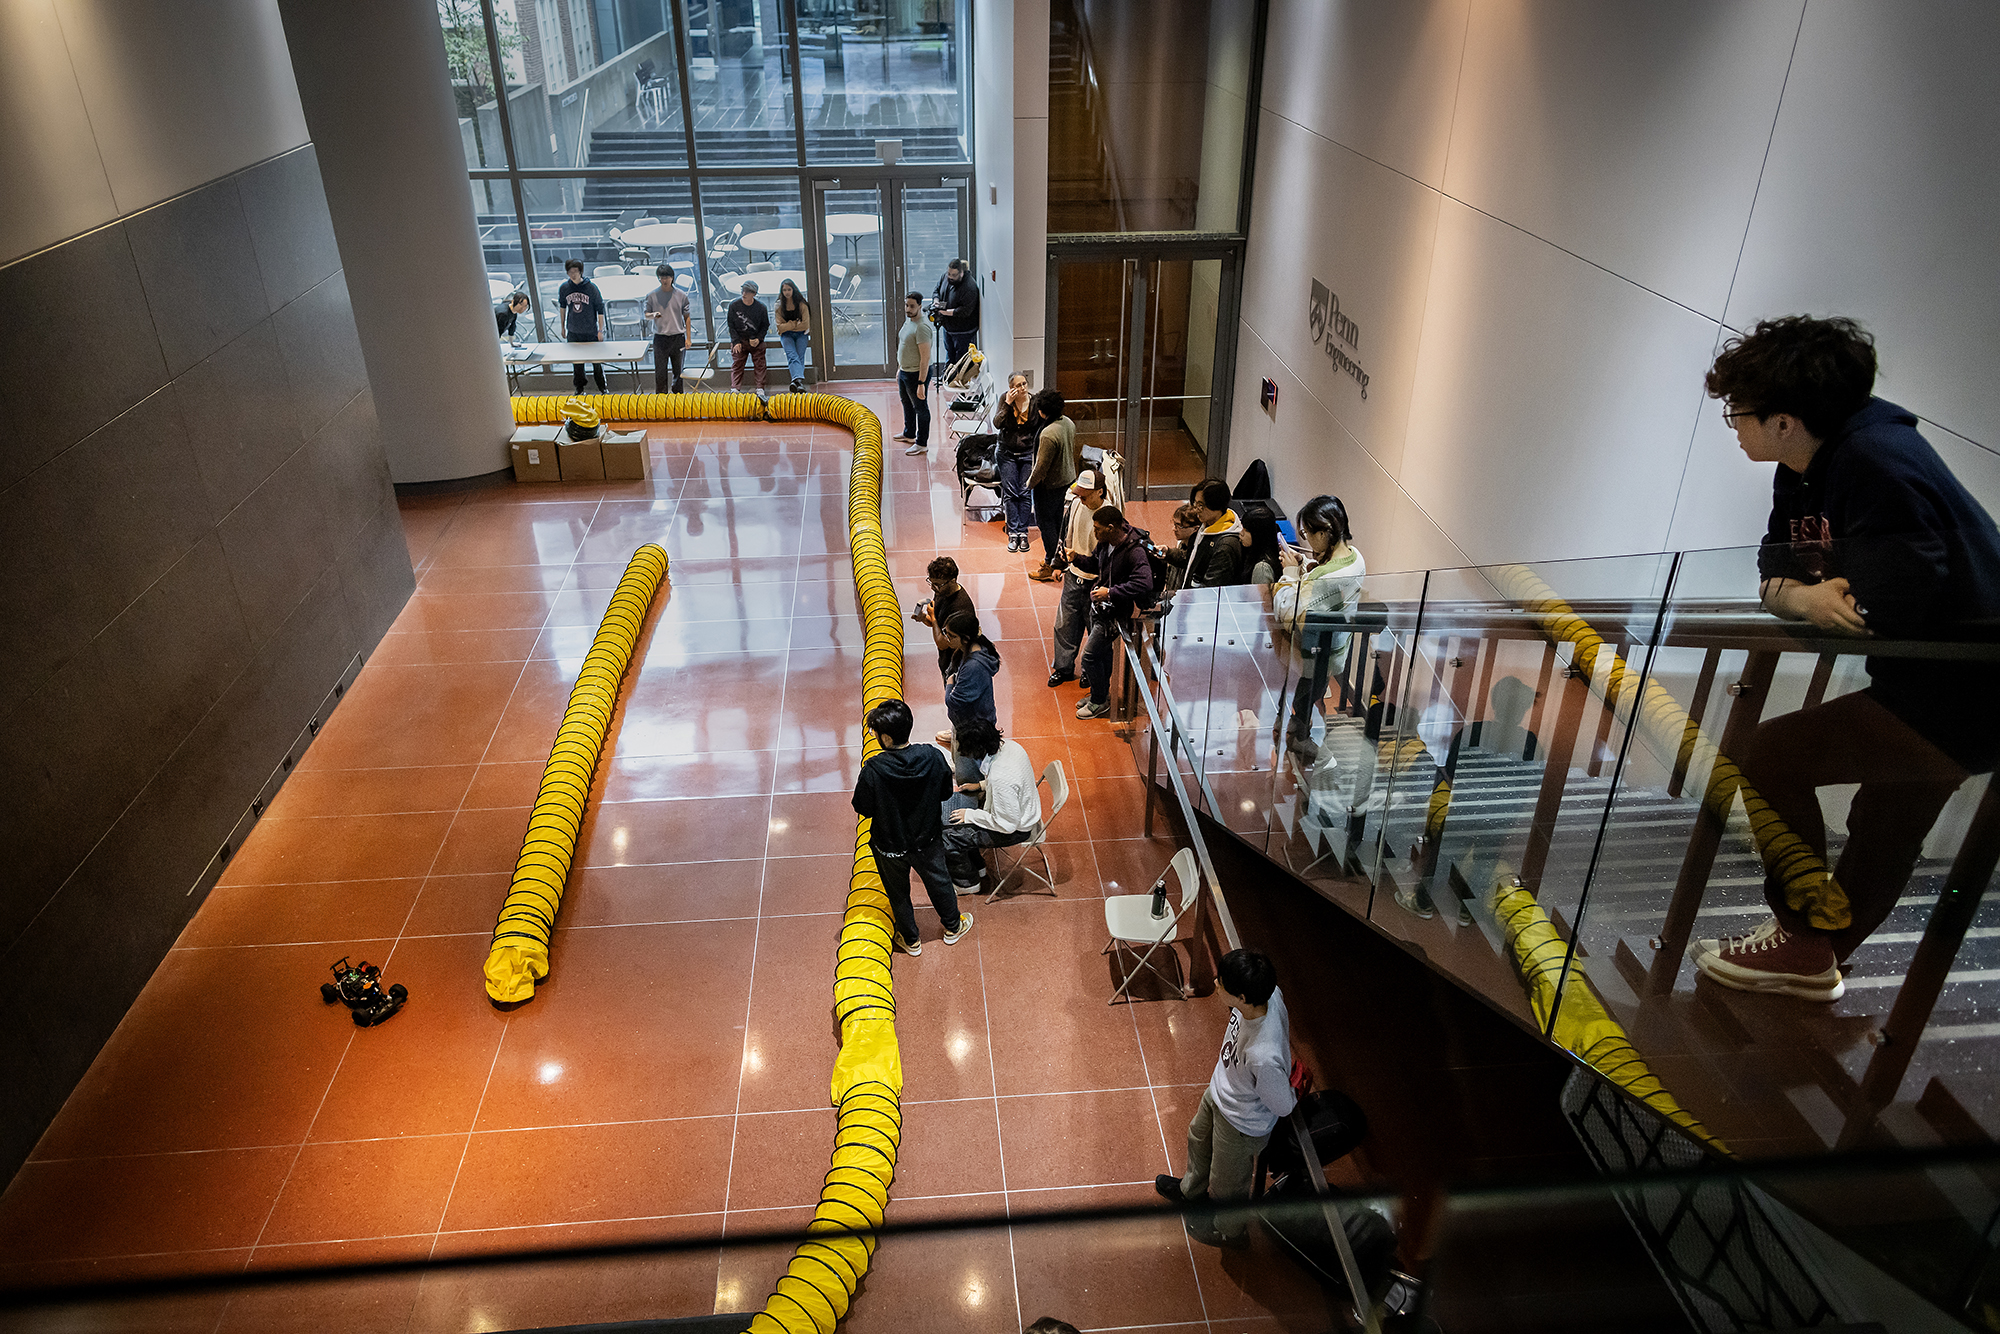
49 157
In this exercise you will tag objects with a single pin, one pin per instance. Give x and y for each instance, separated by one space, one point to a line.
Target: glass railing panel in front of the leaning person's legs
1783 755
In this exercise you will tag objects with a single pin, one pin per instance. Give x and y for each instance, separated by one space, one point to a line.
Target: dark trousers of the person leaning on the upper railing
1905 783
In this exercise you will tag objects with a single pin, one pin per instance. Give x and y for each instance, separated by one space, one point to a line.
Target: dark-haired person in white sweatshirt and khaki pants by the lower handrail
1249 1093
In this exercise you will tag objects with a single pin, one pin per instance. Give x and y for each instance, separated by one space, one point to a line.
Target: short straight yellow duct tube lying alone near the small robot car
519 957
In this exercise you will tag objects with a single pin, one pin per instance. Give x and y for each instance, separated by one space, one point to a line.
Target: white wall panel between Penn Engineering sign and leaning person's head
1553 401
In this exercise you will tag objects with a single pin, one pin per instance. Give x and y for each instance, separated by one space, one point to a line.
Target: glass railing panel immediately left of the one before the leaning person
1497 763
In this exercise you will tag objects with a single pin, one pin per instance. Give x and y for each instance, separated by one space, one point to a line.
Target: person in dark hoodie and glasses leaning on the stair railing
1871 535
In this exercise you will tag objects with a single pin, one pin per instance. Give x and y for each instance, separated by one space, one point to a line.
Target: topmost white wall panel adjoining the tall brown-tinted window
1377 77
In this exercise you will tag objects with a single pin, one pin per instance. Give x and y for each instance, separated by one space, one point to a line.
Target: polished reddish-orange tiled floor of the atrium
671 1079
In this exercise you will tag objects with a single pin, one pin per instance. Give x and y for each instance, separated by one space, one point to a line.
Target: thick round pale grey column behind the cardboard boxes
383 119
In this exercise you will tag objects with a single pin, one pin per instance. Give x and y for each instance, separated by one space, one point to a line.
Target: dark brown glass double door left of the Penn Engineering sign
1135 359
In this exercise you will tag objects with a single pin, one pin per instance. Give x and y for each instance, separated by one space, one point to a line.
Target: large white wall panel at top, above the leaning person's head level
1627 133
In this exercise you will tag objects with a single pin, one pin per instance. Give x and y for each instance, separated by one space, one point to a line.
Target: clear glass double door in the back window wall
879 241
